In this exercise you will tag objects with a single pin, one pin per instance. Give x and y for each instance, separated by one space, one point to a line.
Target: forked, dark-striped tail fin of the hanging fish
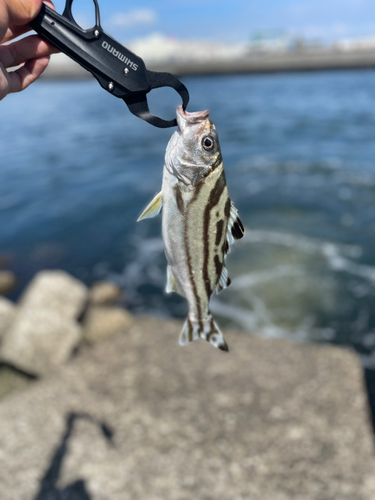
206 330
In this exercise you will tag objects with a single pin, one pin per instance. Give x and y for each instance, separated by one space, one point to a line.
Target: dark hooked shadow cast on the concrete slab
77 490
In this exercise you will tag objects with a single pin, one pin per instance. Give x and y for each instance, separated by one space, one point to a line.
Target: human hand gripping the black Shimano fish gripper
32 52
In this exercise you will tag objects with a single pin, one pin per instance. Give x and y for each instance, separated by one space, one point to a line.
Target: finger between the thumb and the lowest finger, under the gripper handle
25 49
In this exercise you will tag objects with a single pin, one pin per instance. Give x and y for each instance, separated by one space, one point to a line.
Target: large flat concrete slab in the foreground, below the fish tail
270 420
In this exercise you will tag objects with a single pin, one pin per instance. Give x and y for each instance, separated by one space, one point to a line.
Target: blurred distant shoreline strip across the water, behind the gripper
265 63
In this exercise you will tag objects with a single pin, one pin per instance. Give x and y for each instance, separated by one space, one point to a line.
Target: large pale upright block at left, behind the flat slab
44 332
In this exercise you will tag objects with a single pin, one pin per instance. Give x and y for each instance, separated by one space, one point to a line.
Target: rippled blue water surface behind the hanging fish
76 170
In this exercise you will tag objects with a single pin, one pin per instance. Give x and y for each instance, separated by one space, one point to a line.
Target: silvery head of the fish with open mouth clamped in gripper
194 150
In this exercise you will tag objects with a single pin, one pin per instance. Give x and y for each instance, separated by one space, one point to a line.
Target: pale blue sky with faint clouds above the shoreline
230 20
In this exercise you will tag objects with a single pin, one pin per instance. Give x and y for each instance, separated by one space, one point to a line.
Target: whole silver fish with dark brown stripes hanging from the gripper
199 222
